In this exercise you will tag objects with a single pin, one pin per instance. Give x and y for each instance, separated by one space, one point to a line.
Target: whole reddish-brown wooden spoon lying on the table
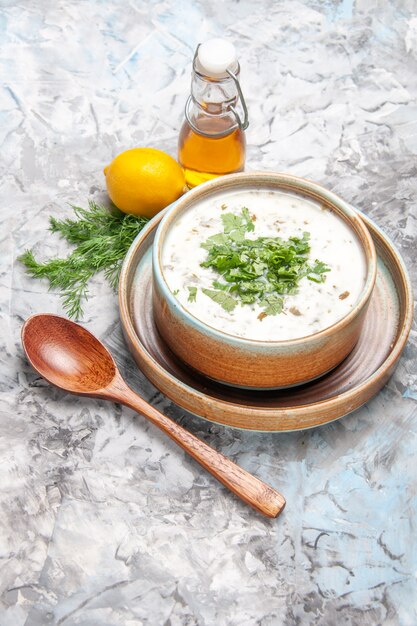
71 358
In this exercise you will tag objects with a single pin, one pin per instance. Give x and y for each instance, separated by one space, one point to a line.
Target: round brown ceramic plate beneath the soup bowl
359 377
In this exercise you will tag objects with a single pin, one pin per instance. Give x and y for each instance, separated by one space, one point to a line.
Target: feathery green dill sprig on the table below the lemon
102 237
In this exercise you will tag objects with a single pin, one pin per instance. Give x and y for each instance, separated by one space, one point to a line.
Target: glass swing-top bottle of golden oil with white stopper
212 137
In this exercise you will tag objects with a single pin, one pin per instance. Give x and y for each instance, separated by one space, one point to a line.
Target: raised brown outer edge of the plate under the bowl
263 419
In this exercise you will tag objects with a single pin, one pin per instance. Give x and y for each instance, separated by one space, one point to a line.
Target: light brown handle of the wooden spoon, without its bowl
250 489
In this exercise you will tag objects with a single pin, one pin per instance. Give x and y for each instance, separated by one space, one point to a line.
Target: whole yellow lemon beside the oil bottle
142 181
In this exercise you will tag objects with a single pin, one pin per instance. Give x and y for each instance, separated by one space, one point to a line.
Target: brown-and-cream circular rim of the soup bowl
286 182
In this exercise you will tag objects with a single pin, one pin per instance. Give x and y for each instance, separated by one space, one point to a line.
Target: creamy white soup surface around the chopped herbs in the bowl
315 306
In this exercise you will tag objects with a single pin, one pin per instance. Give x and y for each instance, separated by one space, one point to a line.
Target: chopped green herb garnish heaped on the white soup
260 270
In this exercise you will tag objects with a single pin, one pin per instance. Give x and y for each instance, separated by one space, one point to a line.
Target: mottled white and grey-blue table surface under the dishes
103 521
